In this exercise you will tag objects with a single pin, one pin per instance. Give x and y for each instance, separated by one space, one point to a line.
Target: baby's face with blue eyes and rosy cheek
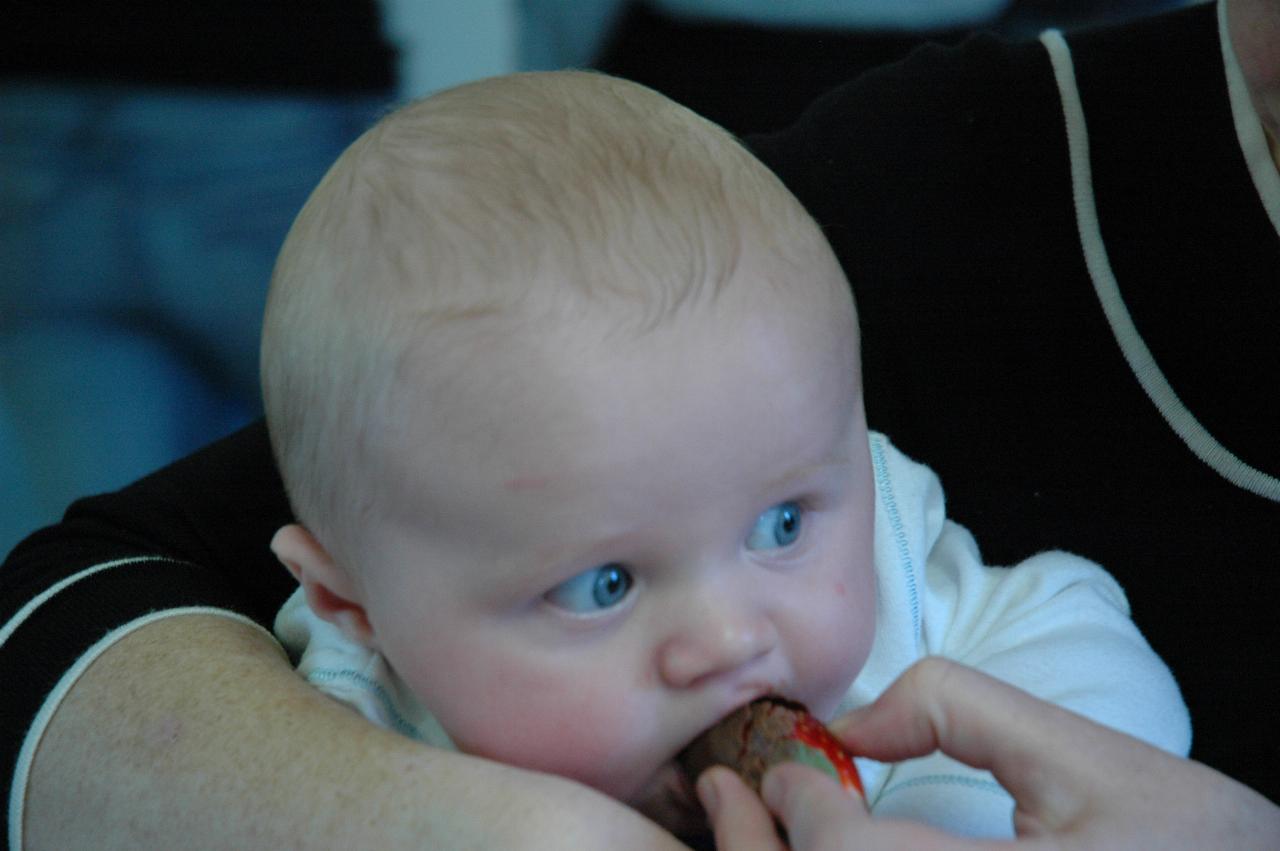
615 539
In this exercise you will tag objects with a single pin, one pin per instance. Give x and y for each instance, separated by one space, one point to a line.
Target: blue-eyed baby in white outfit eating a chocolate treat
565 387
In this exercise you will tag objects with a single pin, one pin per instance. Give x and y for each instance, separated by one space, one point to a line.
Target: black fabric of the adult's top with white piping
944 184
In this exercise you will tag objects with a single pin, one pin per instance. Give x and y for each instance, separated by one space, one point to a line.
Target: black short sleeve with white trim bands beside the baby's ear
191 537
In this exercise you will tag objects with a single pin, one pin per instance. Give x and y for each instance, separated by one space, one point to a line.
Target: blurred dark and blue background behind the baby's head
152 163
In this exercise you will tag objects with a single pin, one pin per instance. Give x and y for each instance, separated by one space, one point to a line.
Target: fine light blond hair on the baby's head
542 195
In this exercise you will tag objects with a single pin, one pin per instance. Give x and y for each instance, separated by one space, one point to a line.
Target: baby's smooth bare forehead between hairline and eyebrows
710 408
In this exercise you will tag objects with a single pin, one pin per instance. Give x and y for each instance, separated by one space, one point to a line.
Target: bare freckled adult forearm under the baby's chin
195 733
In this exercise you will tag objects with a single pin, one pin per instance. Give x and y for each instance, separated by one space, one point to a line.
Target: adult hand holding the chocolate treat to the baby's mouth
1077 785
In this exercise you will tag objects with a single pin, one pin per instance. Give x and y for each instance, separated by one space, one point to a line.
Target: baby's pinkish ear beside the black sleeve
330 591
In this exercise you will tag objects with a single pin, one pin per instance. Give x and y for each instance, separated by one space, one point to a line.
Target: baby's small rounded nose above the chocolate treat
717 642
